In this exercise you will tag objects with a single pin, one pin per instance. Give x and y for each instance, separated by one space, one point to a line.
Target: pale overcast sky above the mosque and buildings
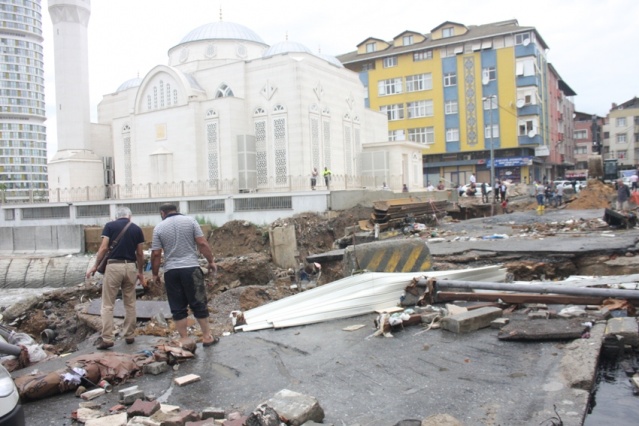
592 43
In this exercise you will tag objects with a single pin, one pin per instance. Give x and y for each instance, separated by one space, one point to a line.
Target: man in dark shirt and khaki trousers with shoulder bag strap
125 264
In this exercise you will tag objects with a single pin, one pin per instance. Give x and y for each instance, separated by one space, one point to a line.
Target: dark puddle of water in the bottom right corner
613 400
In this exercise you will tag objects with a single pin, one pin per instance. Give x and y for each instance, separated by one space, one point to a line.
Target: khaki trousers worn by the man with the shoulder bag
118 276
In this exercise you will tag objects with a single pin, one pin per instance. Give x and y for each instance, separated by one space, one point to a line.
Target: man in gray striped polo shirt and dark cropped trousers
181 237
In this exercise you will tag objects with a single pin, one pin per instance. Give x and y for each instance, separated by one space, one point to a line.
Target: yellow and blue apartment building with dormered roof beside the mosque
464 91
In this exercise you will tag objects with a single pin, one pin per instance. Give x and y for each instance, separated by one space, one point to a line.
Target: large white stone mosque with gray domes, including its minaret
228 111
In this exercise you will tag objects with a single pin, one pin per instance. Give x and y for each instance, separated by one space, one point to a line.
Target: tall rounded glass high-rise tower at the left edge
23 145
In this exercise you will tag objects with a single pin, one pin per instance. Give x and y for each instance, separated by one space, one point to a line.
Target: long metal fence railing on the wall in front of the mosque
196 189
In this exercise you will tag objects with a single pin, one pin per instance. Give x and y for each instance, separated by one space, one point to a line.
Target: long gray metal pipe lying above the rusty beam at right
538 288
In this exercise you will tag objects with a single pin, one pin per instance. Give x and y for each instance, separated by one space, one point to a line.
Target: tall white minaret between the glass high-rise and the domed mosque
74 164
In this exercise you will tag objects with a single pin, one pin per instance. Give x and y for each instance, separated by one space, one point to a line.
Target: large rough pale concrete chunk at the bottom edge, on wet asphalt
296 407
